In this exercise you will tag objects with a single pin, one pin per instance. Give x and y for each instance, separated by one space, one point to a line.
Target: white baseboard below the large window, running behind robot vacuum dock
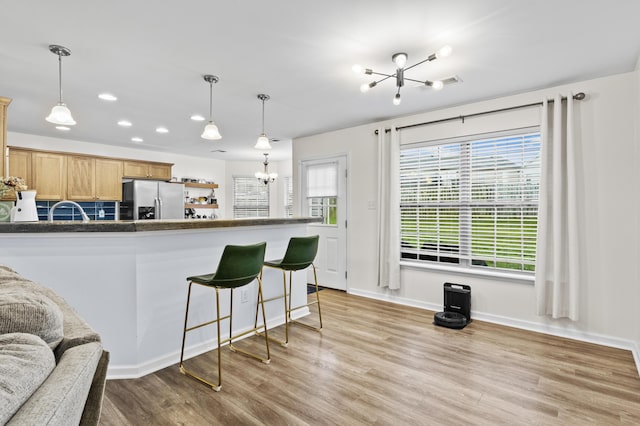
599 339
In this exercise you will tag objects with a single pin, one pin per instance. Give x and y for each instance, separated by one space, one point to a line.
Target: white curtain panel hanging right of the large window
557 265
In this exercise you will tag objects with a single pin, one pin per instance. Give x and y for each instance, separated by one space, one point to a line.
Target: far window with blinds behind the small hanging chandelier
250 197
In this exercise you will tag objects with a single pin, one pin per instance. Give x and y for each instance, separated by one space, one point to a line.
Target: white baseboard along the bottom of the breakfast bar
116 372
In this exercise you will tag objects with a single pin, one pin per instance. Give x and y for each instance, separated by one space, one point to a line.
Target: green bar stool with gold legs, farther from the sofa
300 254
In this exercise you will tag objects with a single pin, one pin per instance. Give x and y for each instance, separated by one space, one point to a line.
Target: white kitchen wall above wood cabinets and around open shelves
184 166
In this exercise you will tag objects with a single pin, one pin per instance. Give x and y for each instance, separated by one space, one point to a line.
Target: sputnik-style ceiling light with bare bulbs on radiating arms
400 60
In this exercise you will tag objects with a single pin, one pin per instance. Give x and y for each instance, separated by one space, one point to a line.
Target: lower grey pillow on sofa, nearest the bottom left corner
25 363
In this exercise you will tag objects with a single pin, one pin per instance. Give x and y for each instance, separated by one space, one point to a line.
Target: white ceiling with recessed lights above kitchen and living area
152 55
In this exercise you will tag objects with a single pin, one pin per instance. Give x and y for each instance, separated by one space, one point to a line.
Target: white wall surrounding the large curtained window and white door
608 306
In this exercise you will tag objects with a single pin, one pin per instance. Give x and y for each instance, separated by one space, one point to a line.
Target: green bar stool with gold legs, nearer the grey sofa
239 266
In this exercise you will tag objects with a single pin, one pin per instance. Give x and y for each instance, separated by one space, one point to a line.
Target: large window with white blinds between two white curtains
473 202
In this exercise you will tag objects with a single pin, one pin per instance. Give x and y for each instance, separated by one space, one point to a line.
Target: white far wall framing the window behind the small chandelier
277 189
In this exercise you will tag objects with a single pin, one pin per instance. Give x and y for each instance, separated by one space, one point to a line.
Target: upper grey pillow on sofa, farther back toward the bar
26 312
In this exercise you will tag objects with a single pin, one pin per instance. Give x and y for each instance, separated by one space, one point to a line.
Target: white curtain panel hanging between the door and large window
388 210
